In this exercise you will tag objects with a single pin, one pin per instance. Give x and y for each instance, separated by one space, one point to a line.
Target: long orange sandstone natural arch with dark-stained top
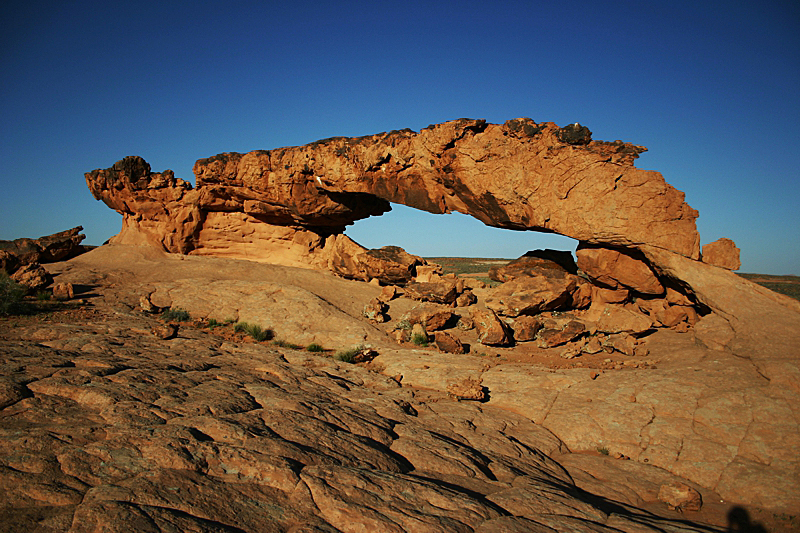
291 205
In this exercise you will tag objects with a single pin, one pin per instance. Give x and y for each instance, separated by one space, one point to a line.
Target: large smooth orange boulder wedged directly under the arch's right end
617 268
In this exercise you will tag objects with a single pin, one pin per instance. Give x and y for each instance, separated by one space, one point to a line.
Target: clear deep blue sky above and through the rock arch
711 88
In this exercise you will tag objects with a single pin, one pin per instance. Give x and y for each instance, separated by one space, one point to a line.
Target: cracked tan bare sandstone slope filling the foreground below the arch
107 426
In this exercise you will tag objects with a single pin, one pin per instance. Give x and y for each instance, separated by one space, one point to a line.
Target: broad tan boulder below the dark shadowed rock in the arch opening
528 295
